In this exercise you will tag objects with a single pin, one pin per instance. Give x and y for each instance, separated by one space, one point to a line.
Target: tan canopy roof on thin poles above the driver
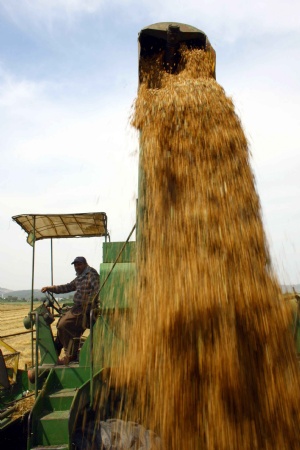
46 226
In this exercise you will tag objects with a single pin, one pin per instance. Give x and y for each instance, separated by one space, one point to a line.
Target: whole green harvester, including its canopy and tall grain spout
66 397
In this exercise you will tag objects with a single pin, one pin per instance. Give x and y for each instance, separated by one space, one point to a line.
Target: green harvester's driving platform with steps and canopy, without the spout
64 395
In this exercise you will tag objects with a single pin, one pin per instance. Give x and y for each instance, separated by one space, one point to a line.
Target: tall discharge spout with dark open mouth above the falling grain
161 48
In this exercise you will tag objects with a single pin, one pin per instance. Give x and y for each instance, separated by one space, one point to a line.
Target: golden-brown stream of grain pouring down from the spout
210 354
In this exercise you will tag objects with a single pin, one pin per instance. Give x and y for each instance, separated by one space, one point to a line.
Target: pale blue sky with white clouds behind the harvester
68 81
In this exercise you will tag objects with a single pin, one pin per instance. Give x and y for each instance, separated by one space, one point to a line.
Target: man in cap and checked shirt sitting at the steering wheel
72 325
